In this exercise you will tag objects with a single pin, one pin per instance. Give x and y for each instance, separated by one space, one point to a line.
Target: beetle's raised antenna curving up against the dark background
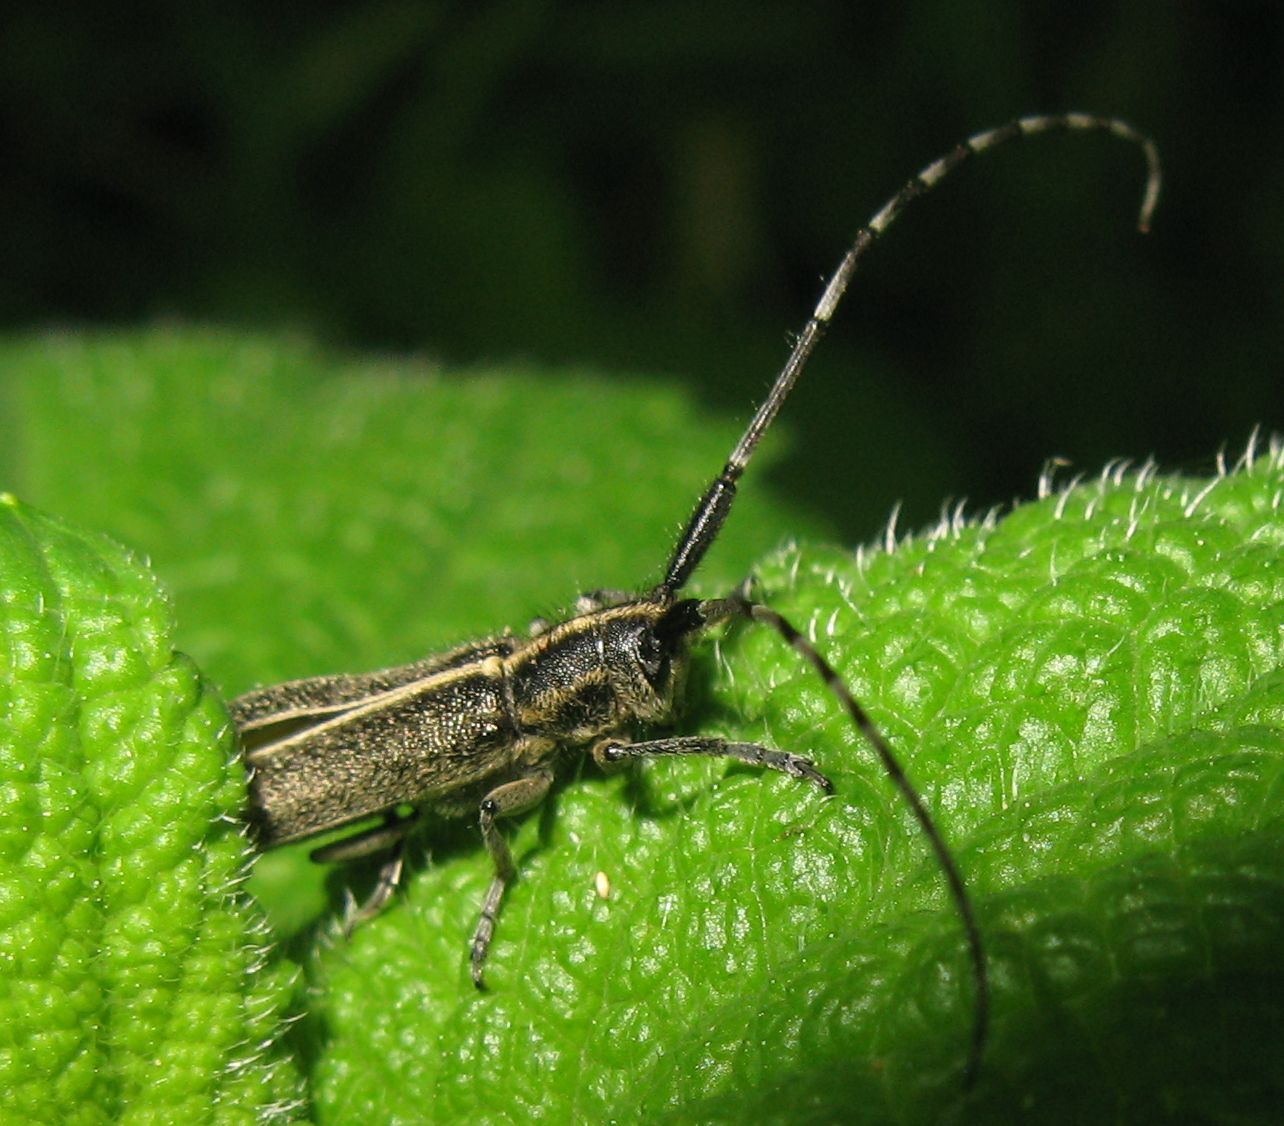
712 512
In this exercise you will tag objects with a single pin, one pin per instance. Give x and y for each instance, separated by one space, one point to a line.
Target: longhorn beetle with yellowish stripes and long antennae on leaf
483 726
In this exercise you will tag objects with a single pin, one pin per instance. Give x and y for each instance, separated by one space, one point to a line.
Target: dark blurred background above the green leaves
657 188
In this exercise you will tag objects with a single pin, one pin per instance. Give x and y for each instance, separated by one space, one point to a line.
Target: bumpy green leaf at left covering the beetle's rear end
133 985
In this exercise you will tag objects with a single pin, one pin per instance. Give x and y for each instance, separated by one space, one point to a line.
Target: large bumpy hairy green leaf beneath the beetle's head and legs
1089 694
